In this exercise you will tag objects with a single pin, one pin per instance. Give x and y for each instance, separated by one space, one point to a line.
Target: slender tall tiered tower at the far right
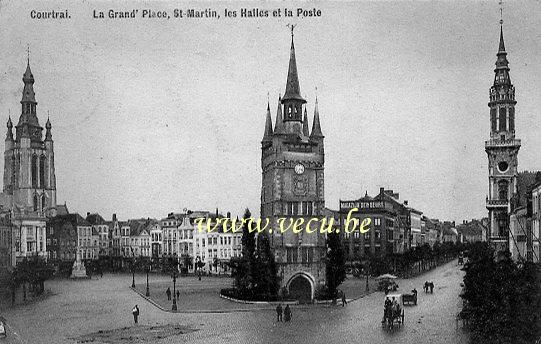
502 150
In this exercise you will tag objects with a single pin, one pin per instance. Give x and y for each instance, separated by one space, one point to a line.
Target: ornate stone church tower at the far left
29 177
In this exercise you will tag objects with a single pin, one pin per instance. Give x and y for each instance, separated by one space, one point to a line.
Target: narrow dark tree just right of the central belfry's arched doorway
335 264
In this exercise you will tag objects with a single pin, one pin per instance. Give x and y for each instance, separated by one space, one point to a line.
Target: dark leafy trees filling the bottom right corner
502 299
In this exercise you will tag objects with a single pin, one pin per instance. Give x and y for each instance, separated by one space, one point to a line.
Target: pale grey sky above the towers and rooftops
152 116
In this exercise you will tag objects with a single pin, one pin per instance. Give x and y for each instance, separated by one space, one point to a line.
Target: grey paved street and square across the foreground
82 307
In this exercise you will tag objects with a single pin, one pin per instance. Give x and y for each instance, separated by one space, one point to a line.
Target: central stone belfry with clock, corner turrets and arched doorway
292 160
